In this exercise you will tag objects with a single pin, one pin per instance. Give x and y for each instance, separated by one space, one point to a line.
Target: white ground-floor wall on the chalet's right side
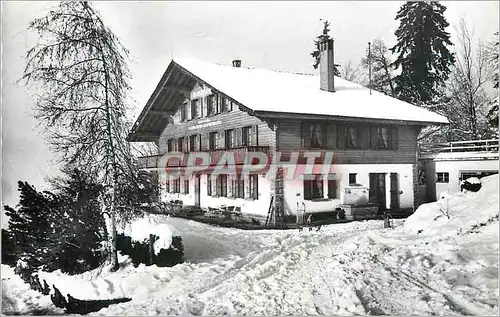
405 177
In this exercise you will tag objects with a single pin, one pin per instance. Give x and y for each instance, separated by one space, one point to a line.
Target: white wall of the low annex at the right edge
454 168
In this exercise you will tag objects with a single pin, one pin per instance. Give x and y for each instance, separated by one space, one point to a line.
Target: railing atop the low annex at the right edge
486 146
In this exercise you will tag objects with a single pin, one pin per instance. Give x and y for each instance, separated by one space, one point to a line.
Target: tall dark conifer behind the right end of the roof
422 48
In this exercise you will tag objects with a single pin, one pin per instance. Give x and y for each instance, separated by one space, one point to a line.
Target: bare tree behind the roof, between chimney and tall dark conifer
382 71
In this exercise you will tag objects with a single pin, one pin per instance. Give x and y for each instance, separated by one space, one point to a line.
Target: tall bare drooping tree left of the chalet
79 70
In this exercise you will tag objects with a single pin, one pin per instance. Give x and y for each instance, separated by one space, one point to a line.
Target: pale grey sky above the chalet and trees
273 35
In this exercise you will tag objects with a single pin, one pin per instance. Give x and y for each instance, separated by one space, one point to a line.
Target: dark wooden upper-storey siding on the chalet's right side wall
289 139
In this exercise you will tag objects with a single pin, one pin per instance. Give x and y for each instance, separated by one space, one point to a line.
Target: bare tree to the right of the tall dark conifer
466 85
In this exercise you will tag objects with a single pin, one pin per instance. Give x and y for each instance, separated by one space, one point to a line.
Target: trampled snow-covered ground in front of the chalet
450 268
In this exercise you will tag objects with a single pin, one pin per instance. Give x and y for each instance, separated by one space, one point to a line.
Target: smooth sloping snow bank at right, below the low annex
457 212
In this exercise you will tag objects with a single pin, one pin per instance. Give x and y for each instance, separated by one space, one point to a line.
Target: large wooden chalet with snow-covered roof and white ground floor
211 108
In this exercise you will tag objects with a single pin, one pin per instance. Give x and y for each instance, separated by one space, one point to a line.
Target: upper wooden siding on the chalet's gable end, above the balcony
236 118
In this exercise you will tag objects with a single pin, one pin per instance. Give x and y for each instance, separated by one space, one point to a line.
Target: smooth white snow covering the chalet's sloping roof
293 93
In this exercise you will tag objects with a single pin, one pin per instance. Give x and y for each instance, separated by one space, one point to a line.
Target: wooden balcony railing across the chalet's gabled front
239 154
